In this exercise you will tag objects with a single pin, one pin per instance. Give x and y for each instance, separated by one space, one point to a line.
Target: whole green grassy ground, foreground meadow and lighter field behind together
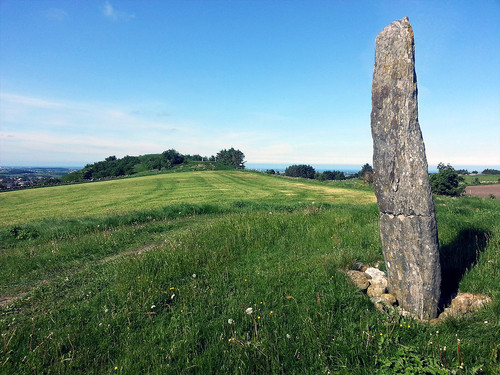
156 274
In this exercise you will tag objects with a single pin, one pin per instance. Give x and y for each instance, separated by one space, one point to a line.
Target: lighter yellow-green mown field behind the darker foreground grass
117 197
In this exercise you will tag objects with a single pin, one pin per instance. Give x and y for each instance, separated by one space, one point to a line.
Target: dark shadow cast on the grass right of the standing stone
456 258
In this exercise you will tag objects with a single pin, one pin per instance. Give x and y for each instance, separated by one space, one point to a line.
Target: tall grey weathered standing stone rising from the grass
407 219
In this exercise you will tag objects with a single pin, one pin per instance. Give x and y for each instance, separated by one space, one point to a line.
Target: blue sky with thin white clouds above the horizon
283 81
